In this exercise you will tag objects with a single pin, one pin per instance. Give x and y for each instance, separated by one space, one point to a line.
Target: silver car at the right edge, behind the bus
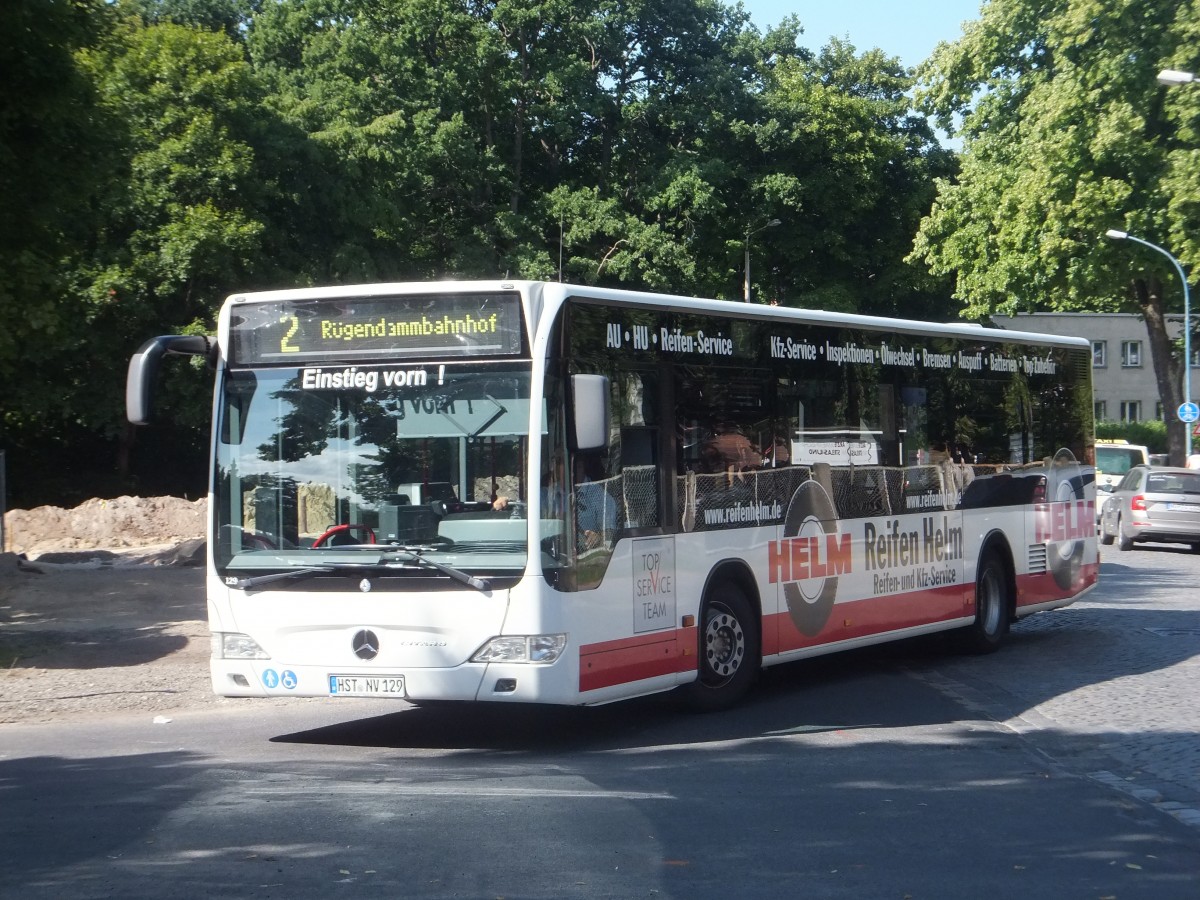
1154 503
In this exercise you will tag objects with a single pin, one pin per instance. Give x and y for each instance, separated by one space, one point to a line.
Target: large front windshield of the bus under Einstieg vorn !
322 464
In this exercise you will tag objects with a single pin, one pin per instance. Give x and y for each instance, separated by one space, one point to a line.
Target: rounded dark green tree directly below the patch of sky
849 167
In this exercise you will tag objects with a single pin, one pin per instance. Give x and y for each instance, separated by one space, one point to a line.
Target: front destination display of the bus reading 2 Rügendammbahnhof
395 327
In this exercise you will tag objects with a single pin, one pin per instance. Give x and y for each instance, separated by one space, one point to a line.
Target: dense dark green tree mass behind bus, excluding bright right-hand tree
164 154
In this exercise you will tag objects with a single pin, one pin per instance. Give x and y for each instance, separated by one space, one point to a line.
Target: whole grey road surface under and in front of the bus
1063 767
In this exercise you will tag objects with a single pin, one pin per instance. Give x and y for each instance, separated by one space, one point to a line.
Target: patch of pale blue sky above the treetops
909 29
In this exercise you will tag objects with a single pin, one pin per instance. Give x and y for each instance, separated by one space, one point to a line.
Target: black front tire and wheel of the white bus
729 649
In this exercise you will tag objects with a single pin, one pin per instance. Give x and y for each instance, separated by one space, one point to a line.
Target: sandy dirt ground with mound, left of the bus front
103 610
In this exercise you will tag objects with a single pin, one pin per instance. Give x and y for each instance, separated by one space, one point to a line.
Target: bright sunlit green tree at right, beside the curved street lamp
1066 135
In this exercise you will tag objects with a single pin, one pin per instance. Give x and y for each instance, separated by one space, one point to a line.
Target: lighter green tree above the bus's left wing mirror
182 225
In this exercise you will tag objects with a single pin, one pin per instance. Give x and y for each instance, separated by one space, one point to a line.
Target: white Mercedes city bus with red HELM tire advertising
542 493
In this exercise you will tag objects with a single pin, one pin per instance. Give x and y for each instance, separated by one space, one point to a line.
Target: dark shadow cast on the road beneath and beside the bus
1069 651
